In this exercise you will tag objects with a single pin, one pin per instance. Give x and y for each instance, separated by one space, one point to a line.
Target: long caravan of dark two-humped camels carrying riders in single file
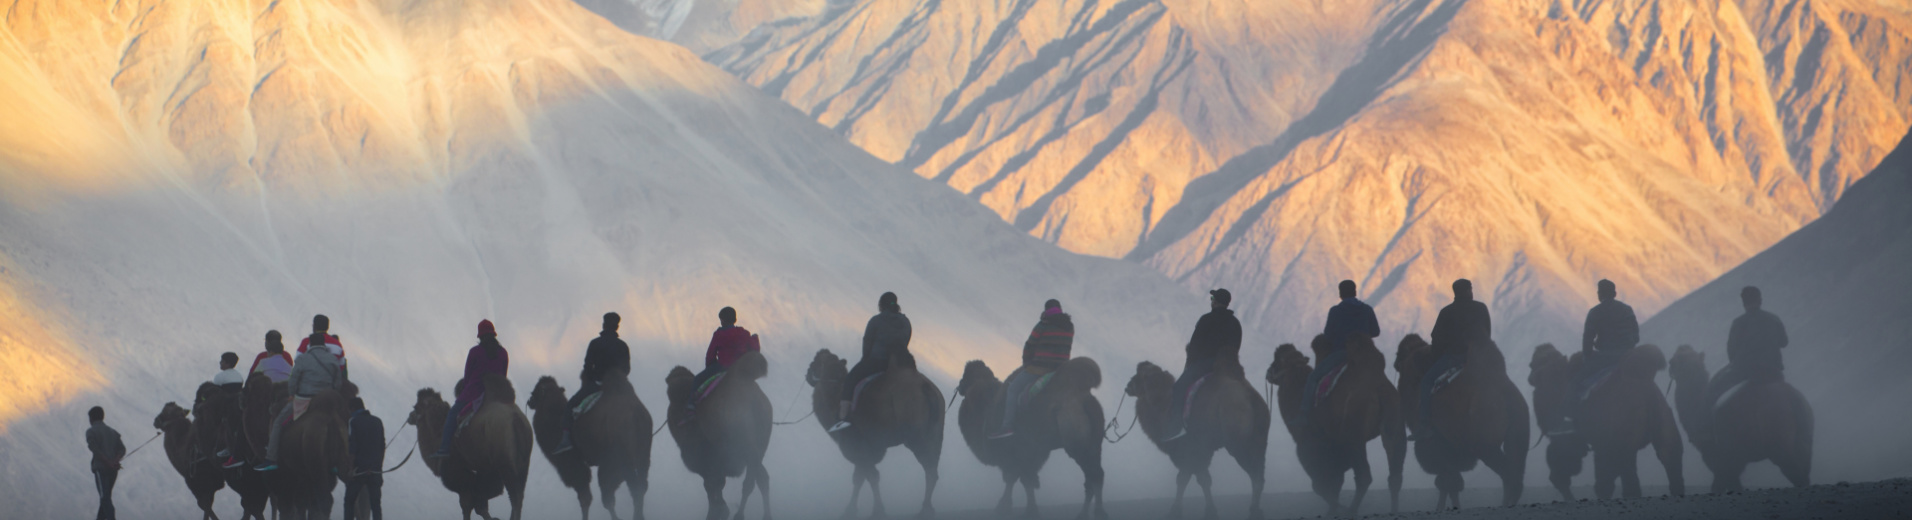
1454 397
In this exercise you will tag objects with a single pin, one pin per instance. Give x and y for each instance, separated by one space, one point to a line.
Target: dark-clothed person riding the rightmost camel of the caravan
1752 351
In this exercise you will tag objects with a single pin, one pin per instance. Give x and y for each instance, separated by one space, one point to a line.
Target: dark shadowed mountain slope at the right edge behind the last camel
1844 290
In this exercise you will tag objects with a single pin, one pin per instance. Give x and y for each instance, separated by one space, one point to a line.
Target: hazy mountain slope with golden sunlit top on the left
183 177
